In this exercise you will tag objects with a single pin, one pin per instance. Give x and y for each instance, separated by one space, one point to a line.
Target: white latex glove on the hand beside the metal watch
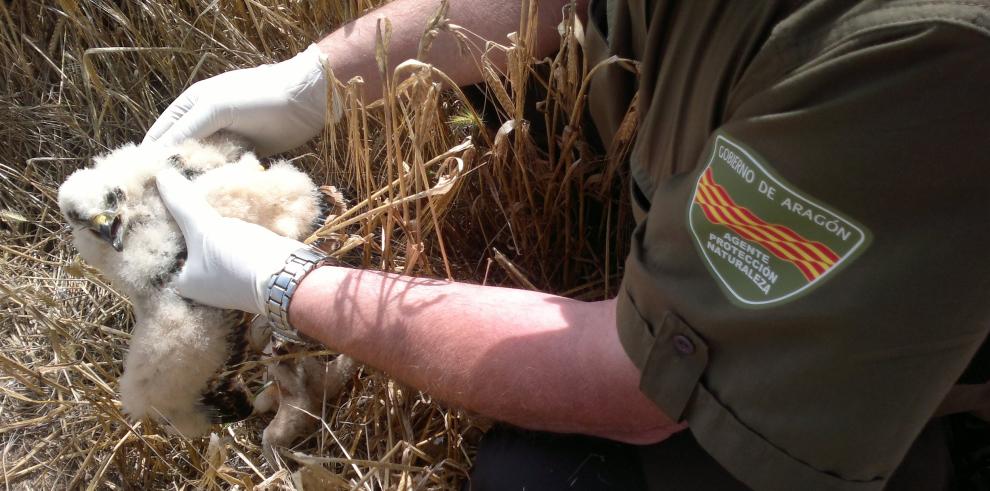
229 261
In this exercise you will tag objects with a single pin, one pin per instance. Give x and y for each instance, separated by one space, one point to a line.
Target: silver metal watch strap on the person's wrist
282 286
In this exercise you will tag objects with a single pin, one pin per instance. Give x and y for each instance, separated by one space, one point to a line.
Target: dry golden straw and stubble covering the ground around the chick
500 188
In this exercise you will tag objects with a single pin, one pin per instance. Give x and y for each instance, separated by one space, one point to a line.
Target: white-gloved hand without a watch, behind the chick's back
277 107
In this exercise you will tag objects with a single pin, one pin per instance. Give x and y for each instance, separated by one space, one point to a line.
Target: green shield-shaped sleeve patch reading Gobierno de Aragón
764 241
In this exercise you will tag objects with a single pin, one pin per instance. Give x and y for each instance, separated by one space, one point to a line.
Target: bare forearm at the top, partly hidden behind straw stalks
351 49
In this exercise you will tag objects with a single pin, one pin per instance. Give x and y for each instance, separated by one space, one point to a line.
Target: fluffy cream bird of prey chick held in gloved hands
176 369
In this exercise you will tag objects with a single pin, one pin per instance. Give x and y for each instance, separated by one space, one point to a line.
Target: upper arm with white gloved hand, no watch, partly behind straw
281 106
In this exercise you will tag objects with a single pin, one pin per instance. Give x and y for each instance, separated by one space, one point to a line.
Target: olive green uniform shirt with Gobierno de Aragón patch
810 271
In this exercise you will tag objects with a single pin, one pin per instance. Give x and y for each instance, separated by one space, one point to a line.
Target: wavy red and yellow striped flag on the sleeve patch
812 258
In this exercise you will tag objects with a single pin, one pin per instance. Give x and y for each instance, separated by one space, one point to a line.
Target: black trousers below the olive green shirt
513 459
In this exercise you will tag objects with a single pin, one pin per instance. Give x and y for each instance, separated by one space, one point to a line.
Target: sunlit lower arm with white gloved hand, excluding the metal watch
532 359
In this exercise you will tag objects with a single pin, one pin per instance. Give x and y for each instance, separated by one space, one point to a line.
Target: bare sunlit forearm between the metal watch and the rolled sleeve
535 360
